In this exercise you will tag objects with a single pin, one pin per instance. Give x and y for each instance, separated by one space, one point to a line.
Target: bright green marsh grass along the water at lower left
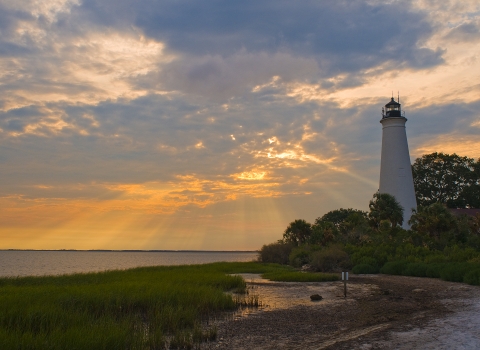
140 308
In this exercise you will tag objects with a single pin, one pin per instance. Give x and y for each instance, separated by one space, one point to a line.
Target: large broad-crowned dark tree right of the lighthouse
448 179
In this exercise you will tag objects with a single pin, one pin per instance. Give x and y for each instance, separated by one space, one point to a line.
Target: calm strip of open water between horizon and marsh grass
36 263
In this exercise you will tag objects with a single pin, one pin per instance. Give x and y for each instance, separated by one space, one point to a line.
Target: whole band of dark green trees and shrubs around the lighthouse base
438 244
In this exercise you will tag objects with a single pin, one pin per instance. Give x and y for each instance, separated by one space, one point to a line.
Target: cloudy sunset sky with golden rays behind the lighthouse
211 125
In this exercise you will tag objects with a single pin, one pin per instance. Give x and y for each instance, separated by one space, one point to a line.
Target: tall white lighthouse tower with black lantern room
395 170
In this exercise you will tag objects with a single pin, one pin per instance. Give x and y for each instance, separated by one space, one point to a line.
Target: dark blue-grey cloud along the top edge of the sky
339 29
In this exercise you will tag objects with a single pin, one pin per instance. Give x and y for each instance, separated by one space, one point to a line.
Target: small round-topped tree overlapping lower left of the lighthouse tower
384 206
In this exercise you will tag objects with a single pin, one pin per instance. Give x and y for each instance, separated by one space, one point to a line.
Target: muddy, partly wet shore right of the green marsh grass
380 312
